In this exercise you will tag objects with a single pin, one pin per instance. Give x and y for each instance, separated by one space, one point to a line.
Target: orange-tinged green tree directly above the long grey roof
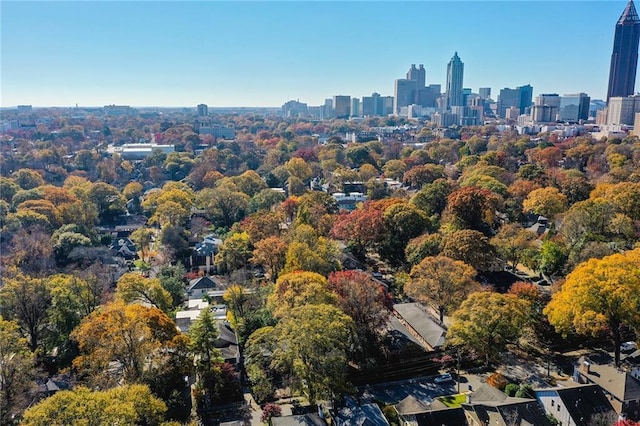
441 282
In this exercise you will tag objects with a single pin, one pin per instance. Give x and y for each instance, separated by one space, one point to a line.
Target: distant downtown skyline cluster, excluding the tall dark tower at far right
414 98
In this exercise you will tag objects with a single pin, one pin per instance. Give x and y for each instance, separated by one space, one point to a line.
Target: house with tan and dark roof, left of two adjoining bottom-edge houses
414 412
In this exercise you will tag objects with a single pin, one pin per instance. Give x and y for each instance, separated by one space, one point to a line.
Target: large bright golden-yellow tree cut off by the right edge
600 295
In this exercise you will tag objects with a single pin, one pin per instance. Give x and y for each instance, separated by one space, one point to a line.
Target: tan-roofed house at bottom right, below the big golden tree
620 386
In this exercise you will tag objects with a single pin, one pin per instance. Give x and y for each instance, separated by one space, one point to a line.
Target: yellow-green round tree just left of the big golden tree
486 322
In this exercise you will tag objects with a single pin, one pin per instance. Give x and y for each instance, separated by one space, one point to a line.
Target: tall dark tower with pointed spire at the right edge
624 59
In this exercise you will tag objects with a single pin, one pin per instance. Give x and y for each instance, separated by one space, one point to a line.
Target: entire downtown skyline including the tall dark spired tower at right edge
414 98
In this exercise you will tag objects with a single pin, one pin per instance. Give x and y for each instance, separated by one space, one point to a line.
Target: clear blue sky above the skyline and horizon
241 53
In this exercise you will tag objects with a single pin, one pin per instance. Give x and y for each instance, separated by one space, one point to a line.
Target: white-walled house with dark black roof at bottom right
580 405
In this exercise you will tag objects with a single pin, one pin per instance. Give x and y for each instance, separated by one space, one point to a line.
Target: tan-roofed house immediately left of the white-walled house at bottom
488 405
